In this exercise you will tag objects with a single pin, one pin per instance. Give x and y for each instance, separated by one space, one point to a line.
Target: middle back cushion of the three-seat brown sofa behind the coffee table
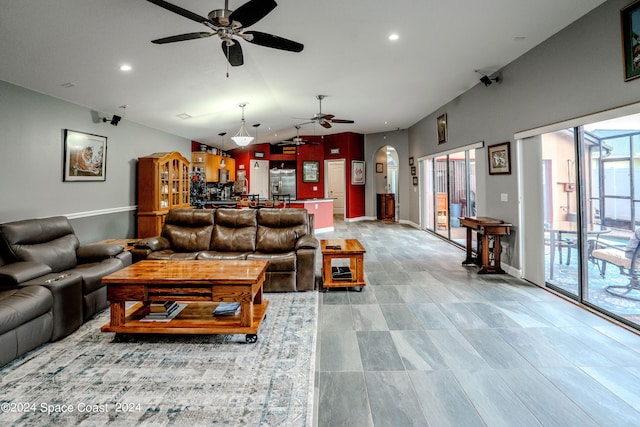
234 230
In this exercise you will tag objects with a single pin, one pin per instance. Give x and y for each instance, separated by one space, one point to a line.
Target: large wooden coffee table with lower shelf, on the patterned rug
202 284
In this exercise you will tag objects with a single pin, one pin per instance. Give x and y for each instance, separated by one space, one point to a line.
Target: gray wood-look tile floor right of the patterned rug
429 342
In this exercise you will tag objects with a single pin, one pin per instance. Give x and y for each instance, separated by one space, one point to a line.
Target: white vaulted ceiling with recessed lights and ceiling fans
382 85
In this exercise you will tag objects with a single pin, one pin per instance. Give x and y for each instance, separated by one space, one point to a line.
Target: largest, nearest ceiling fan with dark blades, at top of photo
229 26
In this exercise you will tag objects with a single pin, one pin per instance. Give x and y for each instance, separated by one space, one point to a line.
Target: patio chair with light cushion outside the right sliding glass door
627 260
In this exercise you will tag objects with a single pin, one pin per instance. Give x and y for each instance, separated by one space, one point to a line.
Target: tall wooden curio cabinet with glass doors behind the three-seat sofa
163 184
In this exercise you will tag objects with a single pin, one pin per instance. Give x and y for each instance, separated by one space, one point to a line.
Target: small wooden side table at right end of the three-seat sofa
350 249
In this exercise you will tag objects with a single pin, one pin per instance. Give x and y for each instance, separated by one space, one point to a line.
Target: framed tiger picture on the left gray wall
85 156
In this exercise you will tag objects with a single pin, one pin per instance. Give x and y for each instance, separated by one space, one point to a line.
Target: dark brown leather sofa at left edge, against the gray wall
49 284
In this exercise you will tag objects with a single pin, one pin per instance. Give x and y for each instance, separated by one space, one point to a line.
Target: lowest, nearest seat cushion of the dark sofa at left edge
20 305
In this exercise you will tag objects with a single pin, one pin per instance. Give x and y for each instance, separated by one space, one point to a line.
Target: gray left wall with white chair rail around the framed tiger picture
31 164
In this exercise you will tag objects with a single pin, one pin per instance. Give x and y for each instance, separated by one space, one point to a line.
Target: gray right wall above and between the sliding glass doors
576 72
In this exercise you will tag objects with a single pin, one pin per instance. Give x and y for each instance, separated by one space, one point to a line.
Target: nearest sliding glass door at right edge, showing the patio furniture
591 208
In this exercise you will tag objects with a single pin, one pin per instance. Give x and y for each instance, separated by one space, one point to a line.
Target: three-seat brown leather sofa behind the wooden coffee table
284 237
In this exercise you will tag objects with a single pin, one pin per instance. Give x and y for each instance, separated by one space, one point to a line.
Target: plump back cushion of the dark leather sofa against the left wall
49 241
